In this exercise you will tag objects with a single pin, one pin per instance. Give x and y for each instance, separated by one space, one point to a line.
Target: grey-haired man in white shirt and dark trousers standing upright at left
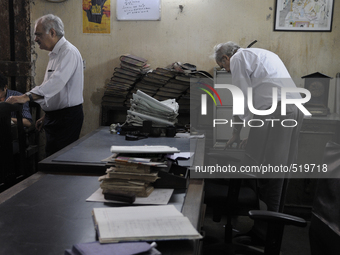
61 93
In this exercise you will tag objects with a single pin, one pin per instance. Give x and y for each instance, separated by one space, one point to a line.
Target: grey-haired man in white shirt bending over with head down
272 143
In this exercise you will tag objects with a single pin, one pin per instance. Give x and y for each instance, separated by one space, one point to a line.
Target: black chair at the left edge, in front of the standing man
12 146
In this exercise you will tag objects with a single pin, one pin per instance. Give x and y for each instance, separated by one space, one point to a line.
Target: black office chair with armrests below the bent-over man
238 197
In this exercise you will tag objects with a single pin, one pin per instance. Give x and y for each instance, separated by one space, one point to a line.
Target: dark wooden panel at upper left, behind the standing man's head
15 43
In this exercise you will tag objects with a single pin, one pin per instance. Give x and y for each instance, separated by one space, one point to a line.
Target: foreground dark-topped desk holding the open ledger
47 213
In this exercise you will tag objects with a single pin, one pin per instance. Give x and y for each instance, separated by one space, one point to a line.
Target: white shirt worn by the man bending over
262 70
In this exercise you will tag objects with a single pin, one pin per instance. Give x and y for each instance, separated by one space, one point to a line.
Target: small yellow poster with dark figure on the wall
96 16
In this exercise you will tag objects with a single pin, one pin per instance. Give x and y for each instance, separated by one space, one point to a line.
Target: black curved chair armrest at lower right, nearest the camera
269 216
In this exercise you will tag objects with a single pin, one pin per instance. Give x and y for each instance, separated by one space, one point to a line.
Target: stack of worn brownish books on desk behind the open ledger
130 176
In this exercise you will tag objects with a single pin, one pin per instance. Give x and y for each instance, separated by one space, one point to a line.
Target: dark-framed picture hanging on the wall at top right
304 15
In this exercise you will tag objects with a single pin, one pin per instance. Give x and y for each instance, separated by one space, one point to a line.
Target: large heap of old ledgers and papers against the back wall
162 84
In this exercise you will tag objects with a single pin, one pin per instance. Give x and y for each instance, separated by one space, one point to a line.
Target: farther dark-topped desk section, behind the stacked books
86 154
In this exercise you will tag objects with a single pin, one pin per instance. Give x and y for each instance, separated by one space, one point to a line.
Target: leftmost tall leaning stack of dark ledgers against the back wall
118 89
